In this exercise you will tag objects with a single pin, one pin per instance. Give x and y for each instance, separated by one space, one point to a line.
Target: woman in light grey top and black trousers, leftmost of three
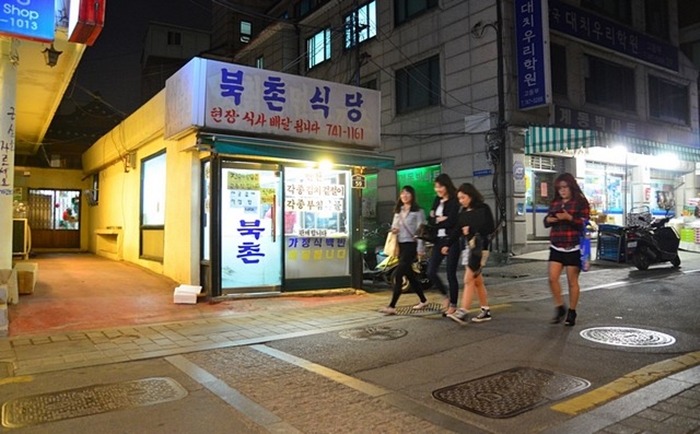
408 217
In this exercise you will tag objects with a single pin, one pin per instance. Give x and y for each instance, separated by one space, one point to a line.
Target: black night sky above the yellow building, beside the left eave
112 66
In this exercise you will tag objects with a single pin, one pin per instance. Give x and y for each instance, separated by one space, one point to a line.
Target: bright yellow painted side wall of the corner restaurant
120 191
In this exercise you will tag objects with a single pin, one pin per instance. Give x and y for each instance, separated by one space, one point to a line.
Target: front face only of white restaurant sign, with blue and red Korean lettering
254 100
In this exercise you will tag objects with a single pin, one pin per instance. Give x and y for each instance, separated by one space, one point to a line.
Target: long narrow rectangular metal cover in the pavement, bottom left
85 401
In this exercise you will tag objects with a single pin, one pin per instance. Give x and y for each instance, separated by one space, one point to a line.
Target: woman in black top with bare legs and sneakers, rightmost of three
476 224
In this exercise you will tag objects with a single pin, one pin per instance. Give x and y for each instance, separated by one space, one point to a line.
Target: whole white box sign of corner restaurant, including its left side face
249 100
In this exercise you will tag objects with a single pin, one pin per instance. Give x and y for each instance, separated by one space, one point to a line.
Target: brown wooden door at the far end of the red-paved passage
54 218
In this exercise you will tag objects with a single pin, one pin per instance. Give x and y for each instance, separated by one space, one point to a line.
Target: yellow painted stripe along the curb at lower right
632 381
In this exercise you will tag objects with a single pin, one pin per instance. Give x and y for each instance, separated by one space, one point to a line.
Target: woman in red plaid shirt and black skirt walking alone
567 214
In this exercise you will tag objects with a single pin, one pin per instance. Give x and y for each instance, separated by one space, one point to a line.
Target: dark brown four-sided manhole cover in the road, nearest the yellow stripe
509 393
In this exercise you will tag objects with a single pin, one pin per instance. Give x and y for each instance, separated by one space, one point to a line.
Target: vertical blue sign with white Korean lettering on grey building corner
532 37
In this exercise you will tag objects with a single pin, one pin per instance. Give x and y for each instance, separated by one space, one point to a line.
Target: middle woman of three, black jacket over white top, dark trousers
443 217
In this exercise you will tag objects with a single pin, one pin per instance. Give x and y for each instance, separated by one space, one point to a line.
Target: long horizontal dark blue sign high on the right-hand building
600 31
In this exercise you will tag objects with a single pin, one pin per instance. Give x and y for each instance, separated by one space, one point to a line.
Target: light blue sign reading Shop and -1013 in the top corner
29 19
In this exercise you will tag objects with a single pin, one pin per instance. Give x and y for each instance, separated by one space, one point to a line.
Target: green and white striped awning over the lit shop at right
552 139
